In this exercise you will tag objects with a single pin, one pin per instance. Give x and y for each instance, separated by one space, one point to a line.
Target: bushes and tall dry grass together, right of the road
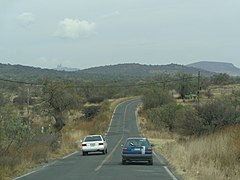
200 140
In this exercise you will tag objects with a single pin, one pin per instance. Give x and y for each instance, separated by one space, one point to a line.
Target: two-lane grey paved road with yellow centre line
106 167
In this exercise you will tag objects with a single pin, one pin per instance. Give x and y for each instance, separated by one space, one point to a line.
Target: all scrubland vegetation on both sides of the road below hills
47 120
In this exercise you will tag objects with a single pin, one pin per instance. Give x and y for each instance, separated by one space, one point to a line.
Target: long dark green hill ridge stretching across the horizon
131 70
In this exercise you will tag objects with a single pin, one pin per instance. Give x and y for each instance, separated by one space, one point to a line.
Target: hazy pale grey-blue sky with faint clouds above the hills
89 33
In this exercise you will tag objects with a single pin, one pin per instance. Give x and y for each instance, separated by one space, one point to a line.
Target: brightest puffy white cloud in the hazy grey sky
74 28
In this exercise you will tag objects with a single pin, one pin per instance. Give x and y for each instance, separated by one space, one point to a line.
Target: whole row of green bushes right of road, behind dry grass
195 120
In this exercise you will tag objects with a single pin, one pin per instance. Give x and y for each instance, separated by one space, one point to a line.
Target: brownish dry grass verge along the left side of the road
19 162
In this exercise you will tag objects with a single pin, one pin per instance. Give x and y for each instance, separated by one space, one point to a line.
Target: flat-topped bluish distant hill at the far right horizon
217 67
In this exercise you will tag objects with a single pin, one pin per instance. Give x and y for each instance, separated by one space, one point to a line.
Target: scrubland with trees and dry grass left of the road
41 123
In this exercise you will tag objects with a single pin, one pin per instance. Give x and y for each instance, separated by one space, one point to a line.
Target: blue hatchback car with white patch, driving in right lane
137 149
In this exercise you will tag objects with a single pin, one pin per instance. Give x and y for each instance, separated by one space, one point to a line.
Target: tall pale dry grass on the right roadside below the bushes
214 156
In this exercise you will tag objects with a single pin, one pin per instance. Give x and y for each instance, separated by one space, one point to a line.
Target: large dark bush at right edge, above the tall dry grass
206 118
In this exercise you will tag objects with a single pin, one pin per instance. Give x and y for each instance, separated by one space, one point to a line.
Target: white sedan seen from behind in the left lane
94 143
